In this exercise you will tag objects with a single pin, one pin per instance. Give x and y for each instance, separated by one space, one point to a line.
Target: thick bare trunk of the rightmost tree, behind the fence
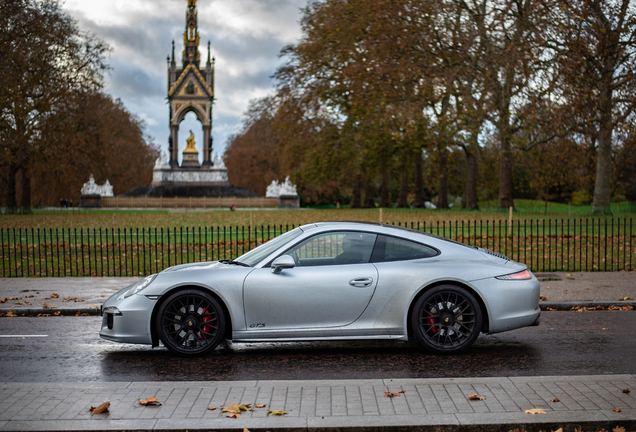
602 185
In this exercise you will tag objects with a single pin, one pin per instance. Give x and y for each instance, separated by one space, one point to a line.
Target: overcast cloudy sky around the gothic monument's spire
246 37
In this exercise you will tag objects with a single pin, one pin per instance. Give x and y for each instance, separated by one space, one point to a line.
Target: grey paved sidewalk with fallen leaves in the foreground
588 402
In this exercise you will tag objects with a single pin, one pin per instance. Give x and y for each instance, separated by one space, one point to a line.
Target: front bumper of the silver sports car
130 322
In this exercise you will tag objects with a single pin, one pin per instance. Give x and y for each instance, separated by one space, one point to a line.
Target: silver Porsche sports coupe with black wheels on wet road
330 281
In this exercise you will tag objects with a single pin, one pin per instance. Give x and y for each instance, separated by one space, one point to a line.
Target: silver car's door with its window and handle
330 285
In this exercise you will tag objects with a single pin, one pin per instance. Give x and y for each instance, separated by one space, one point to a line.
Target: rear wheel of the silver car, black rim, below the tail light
446 319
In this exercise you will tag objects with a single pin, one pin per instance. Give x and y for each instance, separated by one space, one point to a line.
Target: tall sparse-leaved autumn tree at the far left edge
44 57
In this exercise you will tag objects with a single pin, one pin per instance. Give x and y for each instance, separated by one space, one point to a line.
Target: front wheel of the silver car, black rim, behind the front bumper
190 322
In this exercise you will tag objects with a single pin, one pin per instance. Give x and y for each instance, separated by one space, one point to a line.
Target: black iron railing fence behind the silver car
544 245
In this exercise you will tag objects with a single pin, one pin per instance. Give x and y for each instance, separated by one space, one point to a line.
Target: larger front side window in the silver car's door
334 248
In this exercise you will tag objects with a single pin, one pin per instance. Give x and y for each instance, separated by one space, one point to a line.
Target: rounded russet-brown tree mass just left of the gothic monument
89 133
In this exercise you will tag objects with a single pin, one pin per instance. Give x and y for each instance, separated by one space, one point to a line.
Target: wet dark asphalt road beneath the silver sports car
566 343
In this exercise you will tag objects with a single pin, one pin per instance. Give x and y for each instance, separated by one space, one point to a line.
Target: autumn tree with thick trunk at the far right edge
597 45
